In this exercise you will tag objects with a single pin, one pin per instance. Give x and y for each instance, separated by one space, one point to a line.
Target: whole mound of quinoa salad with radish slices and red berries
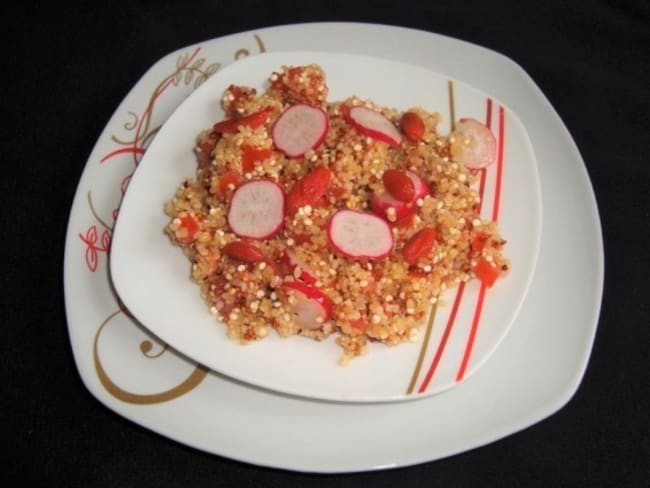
313 217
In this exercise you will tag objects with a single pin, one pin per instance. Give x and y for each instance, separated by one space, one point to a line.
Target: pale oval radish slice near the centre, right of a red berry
360 235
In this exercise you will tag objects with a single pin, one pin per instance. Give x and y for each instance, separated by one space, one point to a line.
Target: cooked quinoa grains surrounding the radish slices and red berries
386 300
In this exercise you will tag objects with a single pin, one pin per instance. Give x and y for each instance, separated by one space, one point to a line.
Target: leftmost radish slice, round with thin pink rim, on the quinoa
256 209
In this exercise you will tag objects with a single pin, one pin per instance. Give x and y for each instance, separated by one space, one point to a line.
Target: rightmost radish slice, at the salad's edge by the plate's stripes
473 144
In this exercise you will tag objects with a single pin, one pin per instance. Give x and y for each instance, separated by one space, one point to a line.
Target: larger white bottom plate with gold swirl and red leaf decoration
532 374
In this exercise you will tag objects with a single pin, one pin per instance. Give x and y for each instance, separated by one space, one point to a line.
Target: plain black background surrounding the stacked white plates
66 68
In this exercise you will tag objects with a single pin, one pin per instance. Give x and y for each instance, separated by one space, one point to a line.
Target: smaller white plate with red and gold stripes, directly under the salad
151 276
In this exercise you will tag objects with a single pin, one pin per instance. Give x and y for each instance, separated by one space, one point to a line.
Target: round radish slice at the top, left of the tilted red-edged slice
300 128
